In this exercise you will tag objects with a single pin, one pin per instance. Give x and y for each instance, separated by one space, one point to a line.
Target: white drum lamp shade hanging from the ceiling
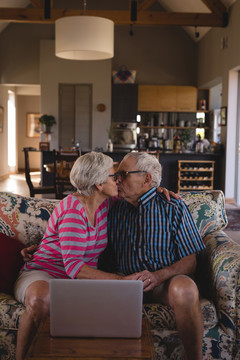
84 38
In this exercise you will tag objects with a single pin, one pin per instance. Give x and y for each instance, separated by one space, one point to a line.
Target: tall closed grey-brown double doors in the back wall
75 117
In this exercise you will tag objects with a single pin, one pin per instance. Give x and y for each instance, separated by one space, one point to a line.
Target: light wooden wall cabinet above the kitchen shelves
167 98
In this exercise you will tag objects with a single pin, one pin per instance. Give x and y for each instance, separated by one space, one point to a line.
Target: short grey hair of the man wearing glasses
148 163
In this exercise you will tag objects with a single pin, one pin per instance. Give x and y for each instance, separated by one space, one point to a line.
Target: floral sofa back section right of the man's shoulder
207 209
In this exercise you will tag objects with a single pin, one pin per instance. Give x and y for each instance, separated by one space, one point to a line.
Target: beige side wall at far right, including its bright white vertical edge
216 65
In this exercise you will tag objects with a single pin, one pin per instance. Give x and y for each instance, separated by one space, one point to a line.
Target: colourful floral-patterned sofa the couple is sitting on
23 221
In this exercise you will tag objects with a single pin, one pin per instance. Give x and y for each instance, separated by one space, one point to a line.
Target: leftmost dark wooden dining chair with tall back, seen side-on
34 189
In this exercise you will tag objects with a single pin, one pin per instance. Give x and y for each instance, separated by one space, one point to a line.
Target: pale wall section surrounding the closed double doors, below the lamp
54 71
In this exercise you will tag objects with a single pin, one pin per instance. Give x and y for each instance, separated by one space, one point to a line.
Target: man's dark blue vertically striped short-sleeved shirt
153 235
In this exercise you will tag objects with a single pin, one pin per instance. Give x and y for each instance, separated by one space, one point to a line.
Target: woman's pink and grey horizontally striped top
70 241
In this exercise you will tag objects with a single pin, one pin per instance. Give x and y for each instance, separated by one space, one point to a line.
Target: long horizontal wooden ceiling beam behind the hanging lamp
32 15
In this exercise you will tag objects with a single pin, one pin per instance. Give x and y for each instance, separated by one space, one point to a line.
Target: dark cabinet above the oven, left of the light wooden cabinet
124 102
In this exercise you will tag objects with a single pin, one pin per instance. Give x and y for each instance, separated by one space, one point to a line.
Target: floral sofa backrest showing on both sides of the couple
25 218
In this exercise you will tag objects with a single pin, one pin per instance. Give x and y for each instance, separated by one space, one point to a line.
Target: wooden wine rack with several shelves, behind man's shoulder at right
195 175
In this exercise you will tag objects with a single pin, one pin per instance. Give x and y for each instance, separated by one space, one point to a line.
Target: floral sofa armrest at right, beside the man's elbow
218 274
